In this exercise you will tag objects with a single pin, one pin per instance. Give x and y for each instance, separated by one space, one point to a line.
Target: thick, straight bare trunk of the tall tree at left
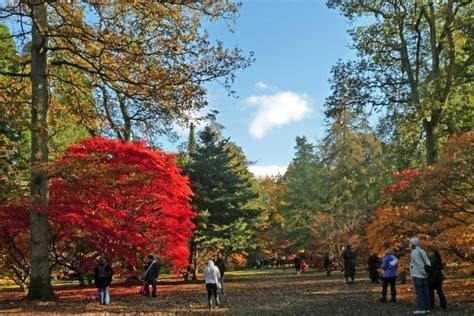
40 279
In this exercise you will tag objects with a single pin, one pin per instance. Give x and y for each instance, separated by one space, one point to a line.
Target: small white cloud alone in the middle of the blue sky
278 109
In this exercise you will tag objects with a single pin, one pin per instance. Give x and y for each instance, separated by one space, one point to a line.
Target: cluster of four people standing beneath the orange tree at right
426 272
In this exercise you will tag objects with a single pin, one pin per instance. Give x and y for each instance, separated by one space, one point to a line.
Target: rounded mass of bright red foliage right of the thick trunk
122 199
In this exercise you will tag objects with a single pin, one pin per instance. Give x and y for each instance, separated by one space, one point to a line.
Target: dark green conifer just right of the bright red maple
223 193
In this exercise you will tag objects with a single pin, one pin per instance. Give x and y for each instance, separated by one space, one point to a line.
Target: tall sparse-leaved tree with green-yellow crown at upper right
415 62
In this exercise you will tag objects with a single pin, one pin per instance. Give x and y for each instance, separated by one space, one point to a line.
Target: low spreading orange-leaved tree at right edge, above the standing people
435 202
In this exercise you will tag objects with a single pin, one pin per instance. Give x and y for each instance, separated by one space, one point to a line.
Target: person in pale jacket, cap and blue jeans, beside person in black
419 267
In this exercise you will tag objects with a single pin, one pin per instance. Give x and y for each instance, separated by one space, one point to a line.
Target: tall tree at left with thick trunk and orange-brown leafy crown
151 56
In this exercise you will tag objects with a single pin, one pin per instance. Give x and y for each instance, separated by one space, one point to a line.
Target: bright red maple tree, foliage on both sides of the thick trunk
108 197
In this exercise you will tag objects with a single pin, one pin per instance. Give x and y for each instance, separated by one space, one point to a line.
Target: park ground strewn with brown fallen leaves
269 292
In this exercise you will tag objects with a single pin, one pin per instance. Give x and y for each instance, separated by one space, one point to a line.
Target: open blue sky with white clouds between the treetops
281 95
